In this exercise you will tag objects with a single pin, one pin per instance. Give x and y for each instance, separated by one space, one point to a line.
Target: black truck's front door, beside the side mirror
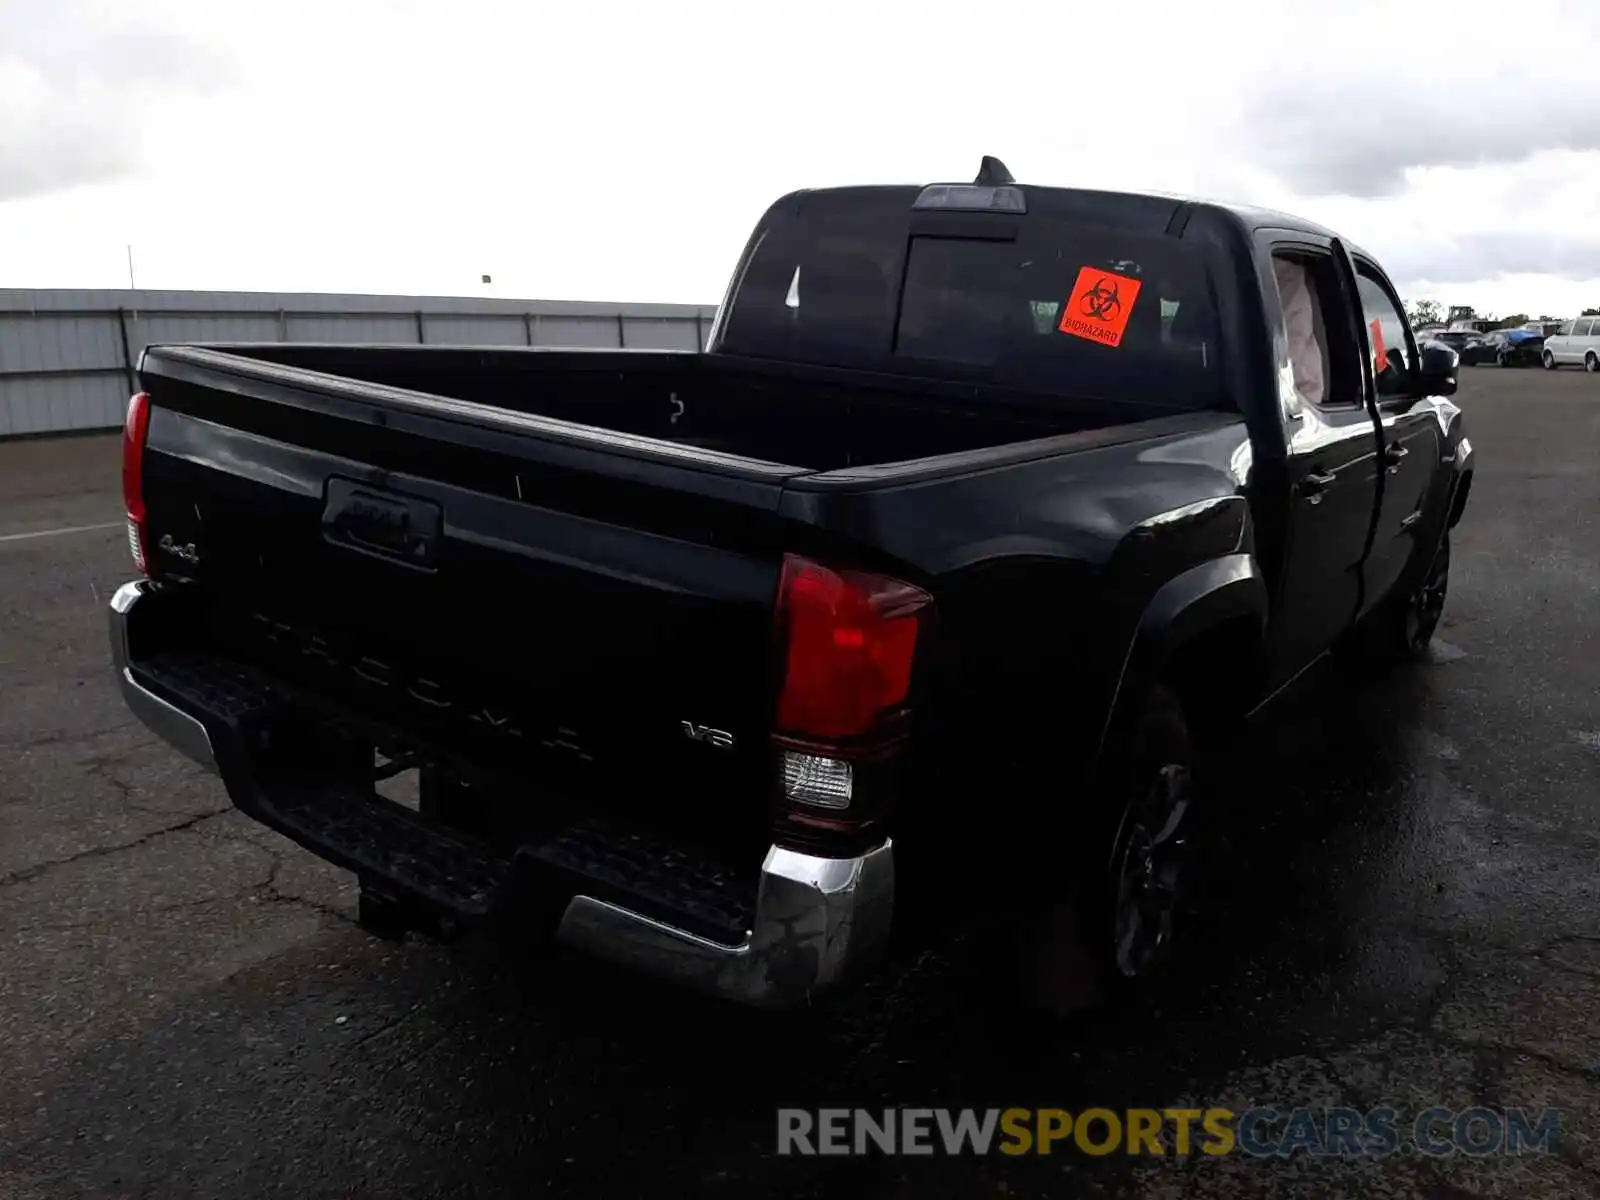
1412 438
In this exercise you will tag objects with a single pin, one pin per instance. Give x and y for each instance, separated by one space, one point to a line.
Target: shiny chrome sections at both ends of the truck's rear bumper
817 922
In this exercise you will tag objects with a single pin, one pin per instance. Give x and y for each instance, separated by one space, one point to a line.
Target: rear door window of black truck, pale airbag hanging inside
1316 330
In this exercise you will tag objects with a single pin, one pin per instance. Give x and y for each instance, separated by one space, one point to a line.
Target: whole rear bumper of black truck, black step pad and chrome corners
801 926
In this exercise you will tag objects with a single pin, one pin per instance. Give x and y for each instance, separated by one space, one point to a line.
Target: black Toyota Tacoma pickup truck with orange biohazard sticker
921 588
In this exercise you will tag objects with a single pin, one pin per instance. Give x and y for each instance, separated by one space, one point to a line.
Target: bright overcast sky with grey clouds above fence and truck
620 150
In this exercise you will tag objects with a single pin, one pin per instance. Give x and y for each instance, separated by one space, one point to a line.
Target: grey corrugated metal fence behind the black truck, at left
68 358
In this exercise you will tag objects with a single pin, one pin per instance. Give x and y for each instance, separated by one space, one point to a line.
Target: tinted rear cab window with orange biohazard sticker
1034 303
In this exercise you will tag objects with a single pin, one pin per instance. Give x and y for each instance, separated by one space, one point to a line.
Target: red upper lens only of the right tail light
850 642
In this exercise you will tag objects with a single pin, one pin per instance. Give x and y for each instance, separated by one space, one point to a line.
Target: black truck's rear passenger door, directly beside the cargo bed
1332 455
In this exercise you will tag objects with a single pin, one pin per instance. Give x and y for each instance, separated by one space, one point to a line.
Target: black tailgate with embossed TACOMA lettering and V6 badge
582 612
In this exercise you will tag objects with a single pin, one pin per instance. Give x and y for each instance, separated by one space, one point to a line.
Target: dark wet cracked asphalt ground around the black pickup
1401 905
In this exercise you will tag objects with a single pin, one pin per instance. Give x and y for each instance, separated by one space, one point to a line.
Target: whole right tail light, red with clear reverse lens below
849 647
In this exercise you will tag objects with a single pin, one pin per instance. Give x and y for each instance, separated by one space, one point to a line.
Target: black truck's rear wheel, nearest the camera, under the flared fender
1113 932
